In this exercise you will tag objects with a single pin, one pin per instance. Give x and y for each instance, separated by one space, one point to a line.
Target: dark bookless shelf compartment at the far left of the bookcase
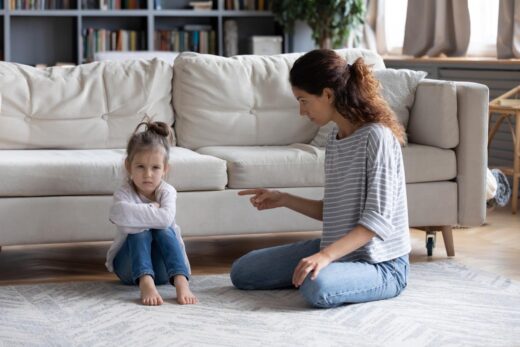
39 40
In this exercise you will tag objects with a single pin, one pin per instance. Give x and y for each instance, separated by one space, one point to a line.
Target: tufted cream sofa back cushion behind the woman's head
242 100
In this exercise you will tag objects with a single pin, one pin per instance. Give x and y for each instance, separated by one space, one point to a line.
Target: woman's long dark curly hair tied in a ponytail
356 90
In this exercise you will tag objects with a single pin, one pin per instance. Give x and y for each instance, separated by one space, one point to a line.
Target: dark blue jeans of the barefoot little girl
155 252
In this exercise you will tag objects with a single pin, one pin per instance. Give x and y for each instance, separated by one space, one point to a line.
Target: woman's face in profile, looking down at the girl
319 109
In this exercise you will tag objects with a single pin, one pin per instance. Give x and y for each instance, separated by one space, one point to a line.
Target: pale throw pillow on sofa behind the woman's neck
397 88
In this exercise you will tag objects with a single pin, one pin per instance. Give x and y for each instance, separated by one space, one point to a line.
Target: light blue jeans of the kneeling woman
338 283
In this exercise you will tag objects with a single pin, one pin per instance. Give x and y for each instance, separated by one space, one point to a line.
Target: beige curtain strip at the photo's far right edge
508 35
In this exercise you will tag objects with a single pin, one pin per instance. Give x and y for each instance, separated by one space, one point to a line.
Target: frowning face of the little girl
146 171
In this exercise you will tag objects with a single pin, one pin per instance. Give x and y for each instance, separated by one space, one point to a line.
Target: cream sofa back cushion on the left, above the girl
95 105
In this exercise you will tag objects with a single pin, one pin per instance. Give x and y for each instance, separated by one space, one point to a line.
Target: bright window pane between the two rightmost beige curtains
483 15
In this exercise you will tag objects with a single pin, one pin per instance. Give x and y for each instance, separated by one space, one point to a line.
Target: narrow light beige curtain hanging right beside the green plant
374 28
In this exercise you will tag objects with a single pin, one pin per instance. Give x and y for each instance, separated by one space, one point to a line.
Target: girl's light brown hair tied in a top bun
155 135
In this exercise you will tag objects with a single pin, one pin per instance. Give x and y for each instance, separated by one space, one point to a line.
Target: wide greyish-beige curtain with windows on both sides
437 27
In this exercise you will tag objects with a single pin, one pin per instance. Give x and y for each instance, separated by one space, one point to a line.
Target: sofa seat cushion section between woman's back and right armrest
428 164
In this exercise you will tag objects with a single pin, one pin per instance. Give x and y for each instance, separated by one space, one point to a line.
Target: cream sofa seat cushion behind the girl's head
97 172
